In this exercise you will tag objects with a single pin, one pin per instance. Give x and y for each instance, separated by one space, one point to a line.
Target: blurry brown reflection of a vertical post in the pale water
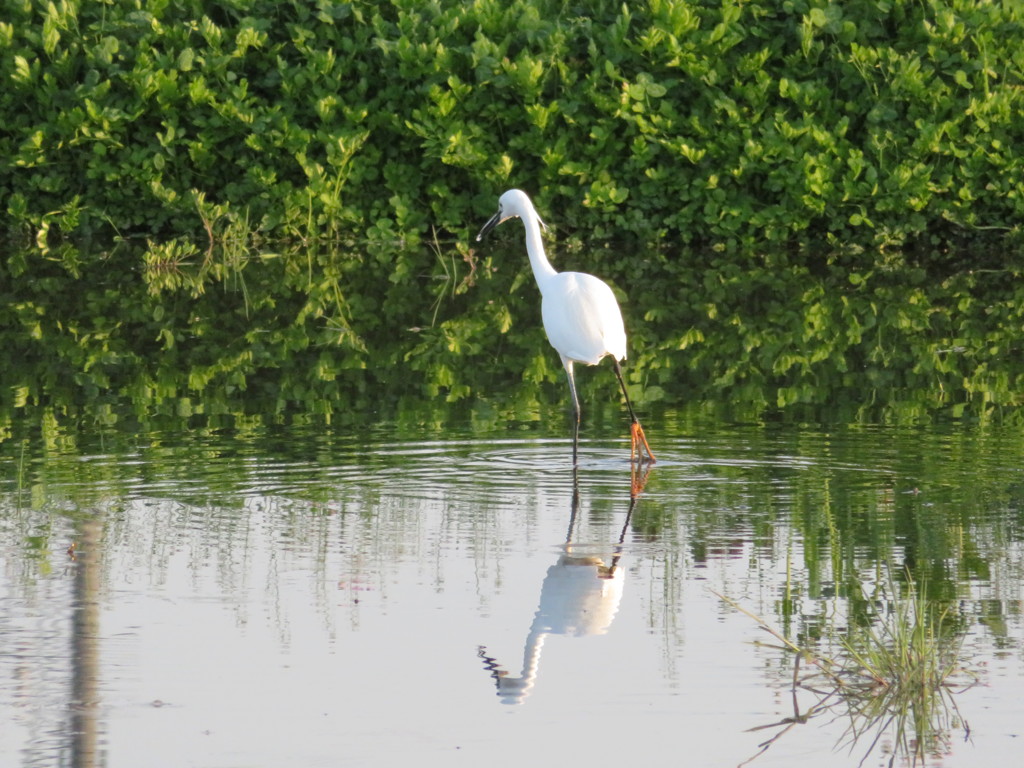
86 648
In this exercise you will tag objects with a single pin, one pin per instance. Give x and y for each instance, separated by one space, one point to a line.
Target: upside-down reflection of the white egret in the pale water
580 596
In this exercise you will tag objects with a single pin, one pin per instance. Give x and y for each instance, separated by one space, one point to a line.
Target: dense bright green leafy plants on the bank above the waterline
868 122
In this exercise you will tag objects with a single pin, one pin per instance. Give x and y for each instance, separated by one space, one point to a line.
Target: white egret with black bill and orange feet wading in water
580 313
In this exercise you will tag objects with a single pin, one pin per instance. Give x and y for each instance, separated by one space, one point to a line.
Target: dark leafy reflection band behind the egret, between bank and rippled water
328 330
